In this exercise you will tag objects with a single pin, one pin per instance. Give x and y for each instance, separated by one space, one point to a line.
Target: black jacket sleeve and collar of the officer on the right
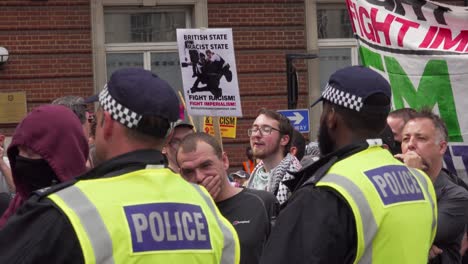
316 225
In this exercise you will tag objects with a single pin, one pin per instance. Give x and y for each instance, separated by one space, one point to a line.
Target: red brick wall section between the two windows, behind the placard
264 31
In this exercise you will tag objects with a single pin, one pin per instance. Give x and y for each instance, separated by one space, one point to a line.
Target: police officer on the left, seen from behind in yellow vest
131 208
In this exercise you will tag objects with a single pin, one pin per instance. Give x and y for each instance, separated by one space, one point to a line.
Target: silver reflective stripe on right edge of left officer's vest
228 255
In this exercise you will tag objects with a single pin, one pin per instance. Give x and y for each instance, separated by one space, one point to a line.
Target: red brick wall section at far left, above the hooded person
50 50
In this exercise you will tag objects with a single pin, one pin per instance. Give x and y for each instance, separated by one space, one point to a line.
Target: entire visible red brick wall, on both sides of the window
50 52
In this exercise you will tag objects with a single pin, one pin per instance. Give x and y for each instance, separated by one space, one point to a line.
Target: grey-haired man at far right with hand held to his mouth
424 143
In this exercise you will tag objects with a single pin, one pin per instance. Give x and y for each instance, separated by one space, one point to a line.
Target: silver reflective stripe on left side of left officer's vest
91 221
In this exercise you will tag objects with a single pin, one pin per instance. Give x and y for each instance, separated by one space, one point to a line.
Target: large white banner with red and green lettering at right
421 47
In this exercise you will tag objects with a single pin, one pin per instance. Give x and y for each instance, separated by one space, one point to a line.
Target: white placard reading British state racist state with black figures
209 72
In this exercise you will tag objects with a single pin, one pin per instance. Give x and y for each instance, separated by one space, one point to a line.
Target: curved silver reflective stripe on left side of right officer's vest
369 226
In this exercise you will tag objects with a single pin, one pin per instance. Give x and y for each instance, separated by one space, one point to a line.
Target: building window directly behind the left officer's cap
146 38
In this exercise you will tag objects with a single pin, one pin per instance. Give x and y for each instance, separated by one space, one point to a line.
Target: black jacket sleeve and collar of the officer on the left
40 232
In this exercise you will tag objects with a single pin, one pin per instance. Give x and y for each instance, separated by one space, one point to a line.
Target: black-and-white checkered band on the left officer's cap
119 112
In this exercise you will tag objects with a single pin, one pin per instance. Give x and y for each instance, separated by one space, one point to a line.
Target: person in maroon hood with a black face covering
47 147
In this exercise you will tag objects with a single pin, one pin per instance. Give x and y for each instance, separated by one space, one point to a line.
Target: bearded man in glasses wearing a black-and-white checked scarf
270 139
